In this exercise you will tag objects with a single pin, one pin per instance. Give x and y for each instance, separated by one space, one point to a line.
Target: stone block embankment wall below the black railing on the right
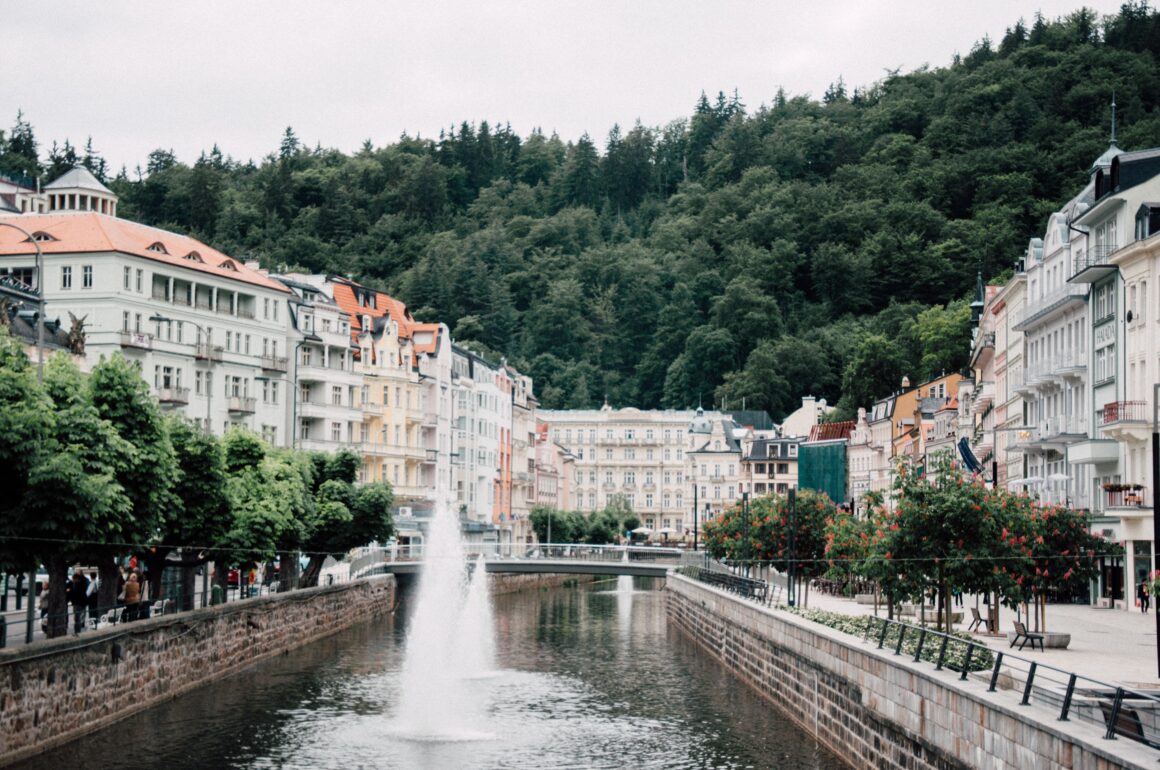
876 710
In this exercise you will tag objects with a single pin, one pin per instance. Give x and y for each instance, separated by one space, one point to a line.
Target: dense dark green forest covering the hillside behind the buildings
763 253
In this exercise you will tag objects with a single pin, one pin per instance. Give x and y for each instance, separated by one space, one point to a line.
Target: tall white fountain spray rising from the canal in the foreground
451 643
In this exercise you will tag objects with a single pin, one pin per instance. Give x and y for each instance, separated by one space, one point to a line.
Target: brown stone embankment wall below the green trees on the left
55 692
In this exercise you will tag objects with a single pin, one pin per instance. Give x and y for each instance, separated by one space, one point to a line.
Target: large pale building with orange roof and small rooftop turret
197 321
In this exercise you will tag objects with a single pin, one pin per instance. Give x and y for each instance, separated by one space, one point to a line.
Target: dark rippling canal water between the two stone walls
589 678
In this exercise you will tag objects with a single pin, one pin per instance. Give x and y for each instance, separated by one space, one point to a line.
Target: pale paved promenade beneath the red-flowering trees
1114 646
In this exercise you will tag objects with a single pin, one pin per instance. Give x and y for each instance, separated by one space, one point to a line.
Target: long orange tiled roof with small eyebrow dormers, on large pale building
91 233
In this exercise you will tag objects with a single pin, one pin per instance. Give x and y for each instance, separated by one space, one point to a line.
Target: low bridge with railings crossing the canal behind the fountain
564 558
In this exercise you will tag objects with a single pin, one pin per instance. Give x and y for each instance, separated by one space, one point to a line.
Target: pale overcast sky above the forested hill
142 75
